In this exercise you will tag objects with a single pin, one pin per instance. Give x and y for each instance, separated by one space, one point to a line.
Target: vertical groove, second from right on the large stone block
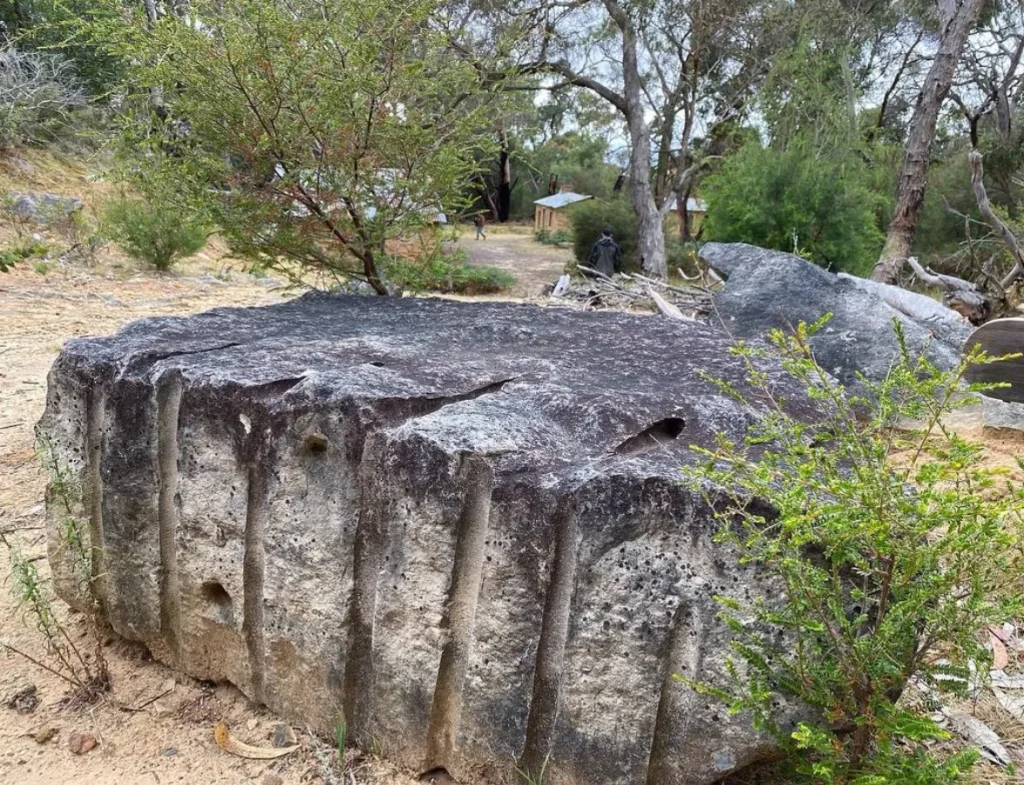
551 650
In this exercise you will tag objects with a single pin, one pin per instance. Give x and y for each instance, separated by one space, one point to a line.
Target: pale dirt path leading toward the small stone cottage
515 250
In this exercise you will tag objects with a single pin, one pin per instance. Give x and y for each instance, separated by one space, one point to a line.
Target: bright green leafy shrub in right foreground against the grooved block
892 544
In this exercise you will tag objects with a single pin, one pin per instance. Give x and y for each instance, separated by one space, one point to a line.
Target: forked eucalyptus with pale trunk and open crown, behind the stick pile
670 69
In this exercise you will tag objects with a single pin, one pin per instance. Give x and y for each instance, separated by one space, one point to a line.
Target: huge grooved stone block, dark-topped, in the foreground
459 524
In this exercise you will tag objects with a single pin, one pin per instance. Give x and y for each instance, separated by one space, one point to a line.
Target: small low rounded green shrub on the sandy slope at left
155 234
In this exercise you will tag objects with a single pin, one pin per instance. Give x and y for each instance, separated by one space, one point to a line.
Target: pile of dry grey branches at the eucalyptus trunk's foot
633 292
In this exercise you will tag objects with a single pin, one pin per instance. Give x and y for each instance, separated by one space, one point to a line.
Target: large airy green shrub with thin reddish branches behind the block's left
330 128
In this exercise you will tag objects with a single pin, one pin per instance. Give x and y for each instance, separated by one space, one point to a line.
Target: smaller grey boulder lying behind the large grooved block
771 289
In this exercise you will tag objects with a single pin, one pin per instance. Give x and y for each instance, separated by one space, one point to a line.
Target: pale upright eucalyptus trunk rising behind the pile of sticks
651 235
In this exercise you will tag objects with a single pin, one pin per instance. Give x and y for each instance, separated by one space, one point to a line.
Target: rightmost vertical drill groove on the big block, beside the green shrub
686 645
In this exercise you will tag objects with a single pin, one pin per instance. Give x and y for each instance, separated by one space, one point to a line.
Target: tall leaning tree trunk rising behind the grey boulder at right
957 24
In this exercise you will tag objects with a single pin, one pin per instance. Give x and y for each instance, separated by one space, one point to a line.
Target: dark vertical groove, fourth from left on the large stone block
371 540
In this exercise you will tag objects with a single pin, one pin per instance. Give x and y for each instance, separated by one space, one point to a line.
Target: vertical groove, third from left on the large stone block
253 575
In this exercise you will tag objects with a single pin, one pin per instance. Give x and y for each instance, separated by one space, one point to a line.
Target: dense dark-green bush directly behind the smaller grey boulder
795 201
